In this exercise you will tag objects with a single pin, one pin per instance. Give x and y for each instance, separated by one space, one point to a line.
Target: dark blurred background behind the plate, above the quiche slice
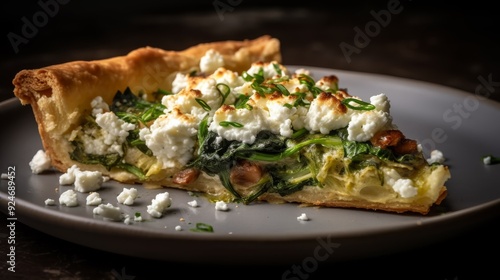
448 44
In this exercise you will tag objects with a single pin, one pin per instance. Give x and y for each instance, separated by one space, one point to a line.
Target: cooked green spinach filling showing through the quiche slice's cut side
289 163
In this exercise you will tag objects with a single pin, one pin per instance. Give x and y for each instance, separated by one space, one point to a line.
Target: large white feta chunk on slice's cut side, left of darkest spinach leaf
171 138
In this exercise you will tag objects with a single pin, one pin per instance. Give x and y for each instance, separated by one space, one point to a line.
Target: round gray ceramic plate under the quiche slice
463 126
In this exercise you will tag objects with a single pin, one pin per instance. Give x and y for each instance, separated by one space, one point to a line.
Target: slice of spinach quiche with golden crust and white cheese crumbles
229 120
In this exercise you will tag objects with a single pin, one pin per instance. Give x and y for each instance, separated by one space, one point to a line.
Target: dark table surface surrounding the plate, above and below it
451 45
